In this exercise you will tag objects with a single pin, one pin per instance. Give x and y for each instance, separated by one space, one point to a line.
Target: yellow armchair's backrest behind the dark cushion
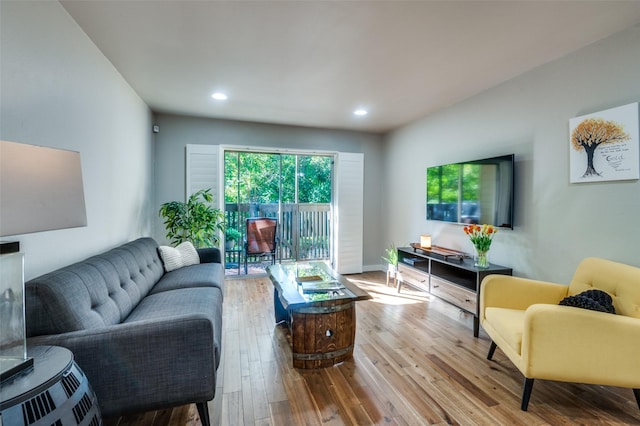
621 281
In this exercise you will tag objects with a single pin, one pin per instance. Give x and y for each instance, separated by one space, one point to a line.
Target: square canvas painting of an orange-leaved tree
604 145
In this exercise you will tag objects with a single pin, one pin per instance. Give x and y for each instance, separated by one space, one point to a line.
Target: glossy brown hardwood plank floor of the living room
416 362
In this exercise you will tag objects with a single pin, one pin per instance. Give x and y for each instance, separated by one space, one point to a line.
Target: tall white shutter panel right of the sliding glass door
349 211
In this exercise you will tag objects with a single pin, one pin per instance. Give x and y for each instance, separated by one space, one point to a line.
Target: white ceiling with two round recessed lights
312 63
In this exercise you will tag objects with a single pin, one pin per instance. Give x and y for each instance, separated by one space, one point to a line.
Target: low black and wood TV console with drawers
454 279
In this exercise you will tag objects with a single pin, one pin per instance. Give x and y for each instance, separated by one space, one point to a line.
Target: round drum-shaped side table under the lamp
54 392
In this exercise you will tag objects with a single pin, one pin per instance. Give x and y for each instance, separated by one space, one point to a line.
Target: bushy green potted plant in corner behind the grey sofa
196 220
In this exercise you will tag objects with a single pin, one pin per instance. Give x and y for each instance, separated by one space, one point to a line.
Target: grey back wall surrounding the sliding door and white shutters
178 131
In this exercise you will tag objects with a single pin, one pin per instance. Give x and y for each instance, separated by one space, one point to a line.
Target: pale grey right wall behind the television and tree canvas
557 224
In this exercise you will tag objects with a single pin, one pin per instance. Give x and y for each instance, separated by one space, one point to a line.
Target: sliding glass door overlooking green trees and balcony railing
296 189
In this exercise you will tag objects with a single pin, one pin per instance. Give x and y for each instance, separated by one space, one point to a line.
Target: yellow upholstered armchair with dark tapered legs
548 341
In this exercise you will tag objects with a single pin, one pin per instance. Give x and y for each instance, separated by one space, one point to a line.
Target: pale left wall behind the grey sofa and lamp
58 90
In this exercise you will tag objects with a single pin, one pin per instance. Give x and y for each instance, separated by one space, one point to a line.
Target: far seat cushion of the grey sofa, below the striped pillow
200 275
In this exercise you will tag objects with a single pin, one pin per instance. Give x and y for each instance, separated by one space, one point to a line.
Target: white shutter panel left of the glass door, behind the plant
203 170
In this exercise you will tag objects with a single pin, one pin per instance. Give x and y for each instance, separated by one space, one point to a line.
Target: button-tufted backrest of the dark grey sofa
96 292
